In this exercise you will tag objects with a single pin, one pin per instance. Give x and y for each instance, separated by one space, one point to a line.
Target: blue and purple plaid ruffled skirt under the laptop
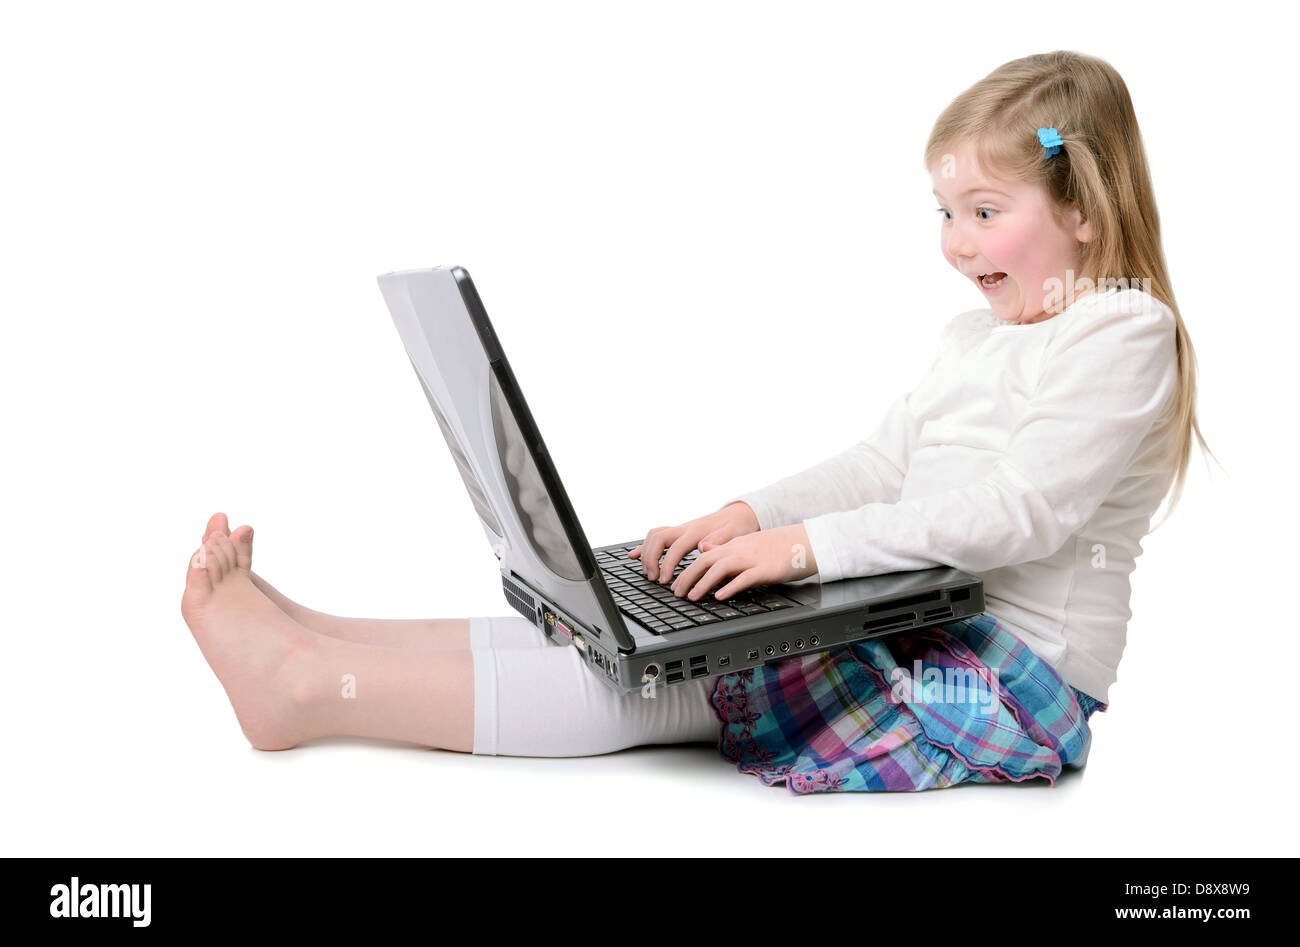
960 703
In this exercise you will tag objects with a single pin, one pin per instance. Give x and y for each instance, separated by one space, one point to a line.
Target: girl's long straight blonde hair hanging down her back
1102 170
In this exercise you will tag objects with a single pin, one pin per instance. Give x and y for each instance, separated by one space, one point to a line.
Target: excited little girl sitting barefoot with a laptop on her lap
1034 453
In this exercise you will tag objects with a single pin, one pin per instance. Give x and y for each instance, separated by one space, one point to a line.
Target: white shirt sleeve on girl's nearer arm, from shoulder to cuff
1107 379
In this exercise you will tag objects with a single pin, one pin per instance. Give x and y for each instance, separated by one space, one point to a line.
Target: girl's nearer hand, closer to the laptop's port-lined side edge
761 559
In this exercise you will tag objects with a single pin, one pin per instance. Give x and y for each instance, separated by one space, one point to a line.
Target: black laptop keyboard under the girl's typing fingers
658 609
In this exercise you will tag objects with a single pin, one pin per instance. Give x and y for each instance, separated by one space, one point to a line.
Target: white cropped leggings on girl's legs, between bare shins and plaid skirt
534 698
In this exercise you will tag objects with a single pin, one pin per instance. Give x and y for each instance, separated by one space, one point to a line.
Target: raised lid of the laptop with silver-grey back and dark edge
513 485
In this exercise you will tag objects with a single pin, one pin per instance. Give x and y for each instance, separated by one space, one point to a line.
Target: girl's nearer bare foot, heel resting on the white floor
258 652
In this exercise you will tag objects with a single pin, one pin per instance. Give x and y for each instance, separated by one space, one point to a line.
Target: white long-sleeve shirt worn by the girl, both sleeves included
1030 456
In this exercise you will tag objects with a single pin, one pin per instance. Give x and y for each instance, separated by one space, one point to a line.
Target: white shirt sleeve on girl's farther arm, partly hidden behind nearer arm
873 470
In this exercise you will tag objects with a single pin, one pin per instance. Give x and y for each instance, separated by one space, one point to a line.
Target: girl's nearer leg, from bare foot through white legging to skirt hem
289 684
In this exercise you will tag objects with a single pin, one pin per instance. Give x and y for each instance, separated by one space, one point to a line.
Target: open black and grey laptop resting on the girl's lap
634 634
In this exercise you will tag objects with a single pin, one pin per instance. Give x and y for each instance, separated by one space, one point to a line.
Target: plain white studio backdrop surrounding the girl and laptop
707 237
